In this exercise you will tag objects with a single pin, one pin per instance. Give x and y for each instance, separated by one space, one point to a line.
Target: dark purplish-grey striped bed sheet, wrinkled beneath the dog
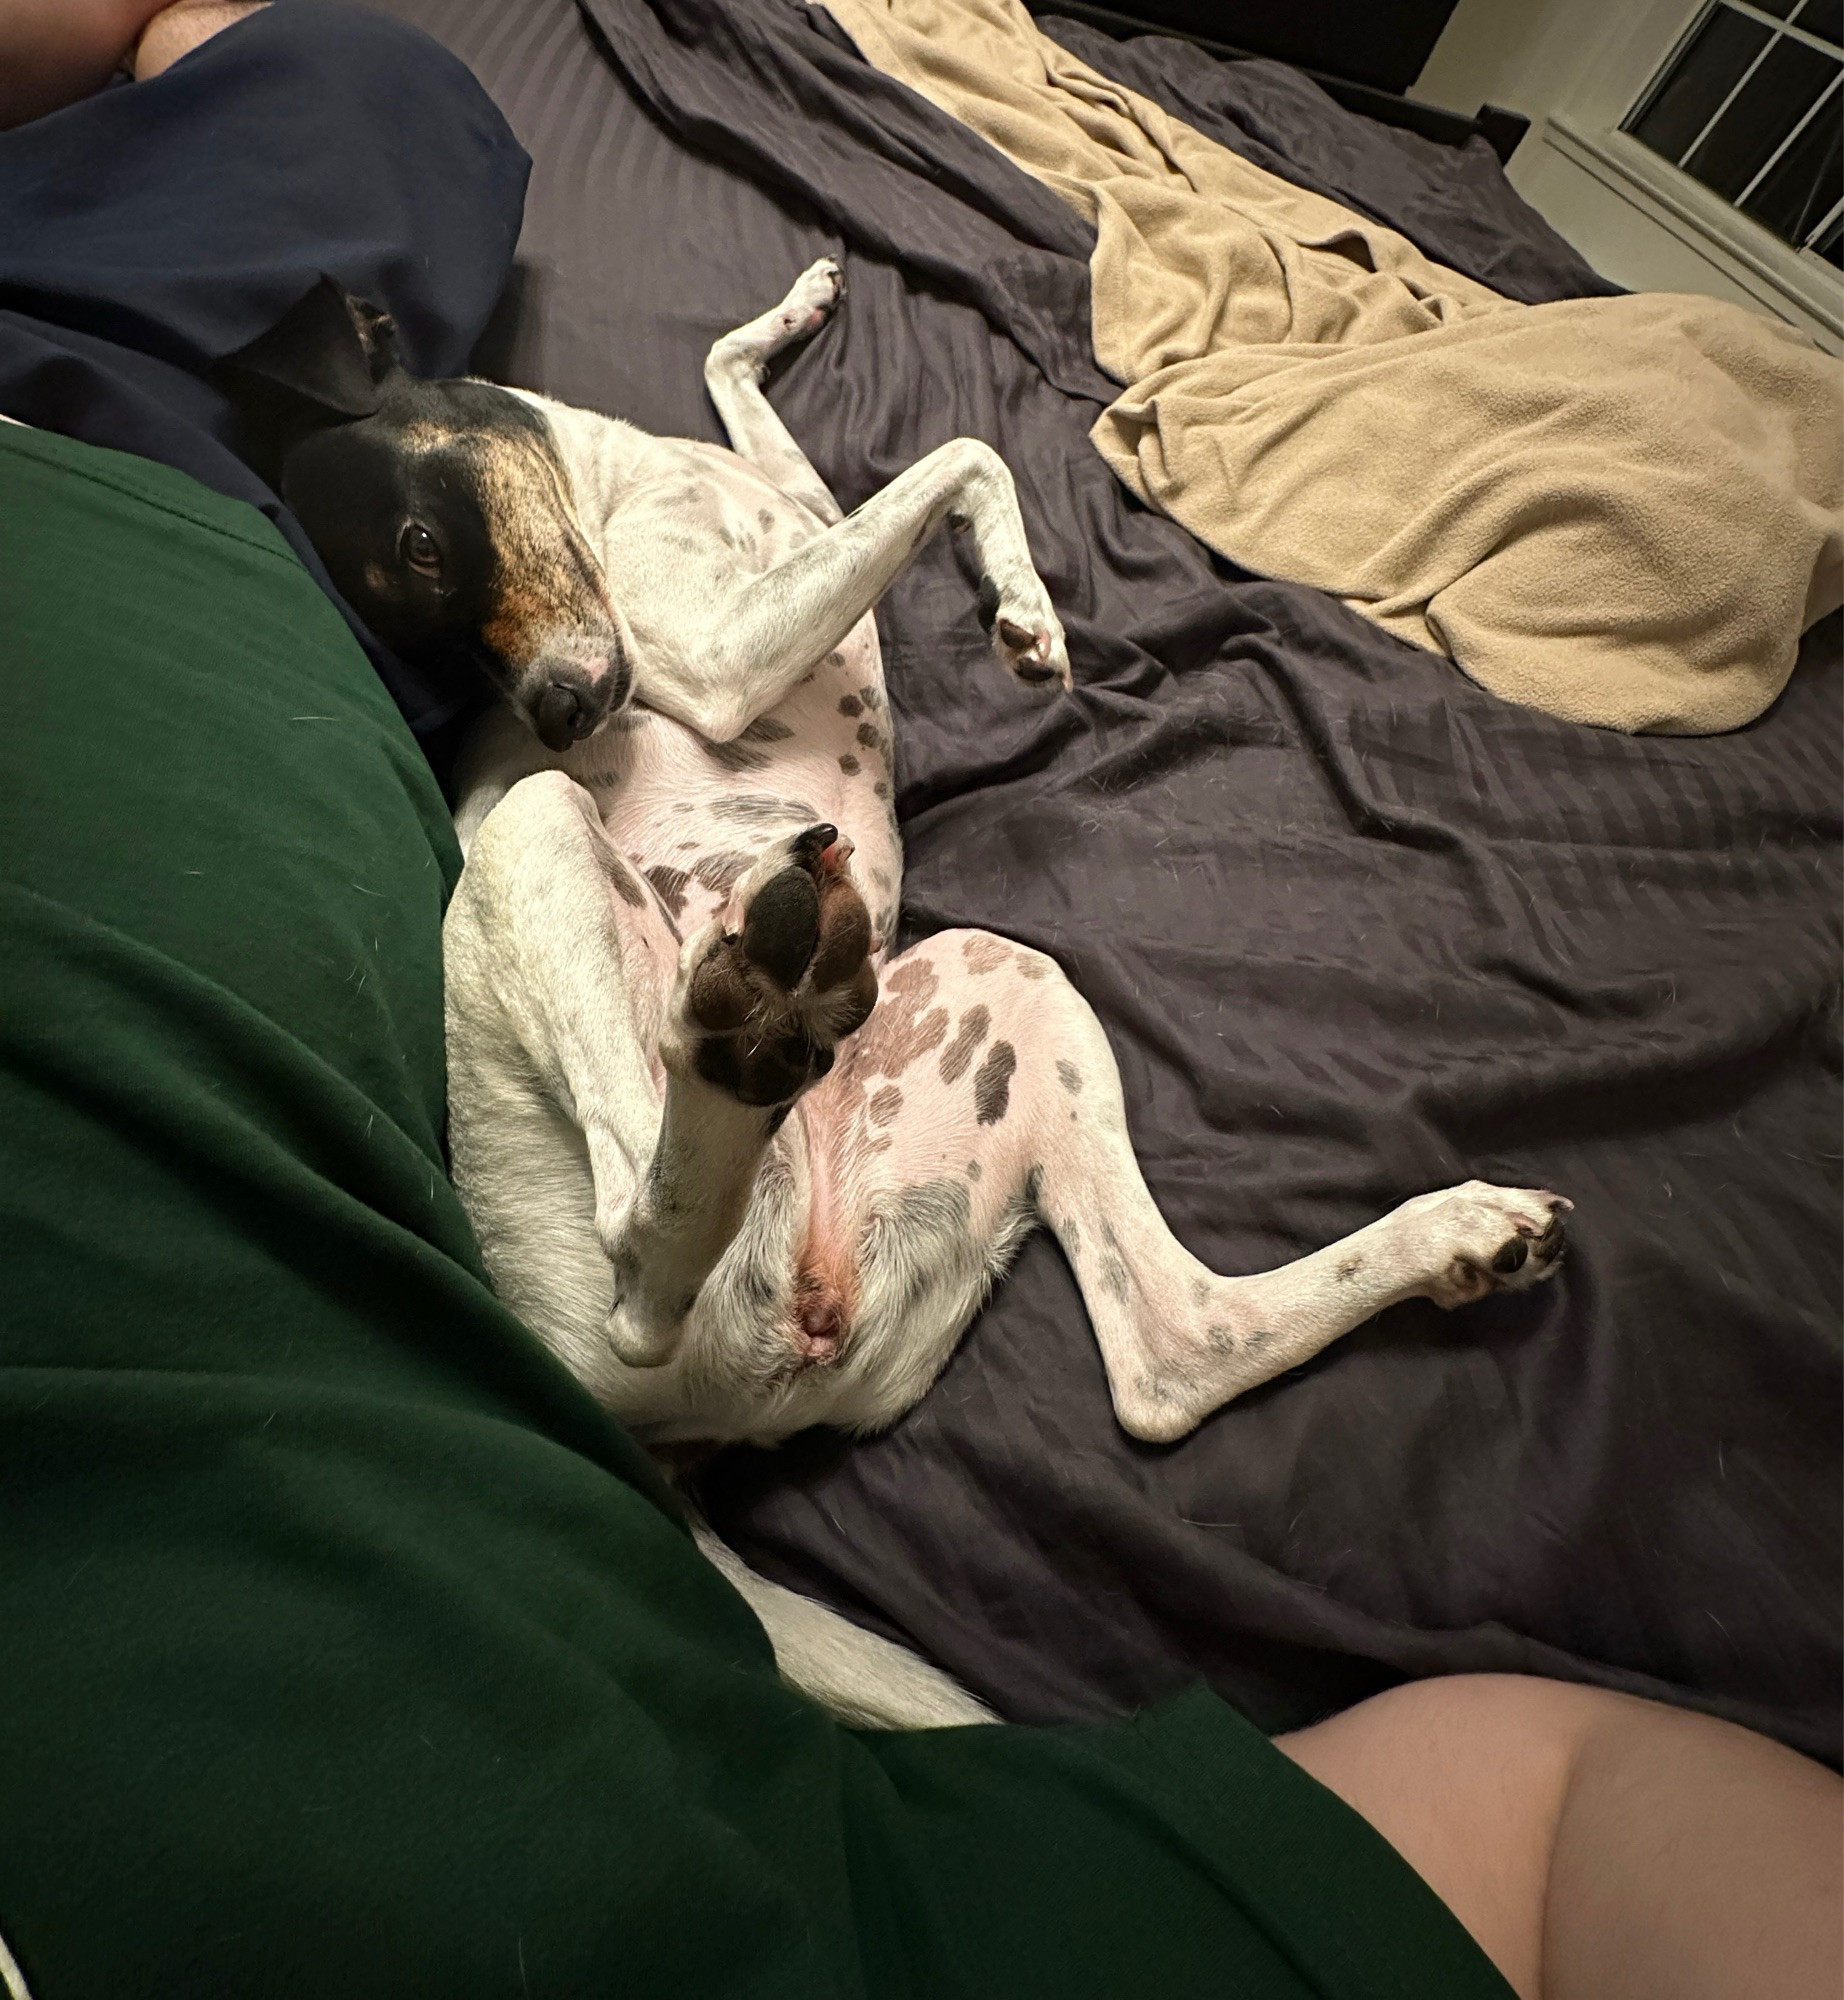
1355 929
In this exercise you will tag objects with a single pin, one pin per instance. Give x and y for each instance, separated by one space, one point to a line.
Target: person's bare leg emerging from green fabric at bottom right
1601 1847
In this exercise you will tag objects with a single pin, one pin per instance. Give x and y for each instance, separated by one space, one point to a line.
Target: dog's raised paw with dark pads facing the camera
781 979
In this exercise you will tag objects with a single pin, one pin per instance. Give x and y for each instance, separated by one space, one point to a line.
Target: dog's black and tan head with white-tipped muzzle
443 511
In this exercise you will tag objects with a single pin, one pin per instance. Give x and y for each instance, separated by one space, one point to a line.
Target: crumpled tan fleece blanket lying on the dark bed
1623 511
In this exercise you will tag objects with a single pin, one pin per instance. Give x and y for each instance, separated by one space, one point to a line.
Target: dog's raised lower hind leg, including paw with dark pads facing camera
763 997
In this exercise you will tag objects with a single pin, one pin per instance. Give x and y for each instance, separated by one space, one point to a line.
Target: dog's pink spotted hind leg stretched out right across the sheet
1033 1109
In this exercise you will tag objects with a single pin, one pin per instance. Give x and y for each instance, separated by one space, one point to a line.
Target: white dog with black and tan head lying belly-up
735 1165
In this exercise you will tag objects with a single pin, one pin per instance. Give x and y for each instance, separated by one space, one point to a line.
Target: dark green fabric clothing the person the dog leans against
345 1645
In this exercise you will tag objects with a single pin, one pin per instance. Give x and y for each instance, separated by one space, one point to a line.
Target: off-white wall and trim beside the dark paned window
1573 67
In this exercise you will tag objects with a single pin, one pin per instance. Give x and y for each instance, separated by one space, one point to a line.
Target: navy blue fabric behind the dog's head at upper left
159 227
